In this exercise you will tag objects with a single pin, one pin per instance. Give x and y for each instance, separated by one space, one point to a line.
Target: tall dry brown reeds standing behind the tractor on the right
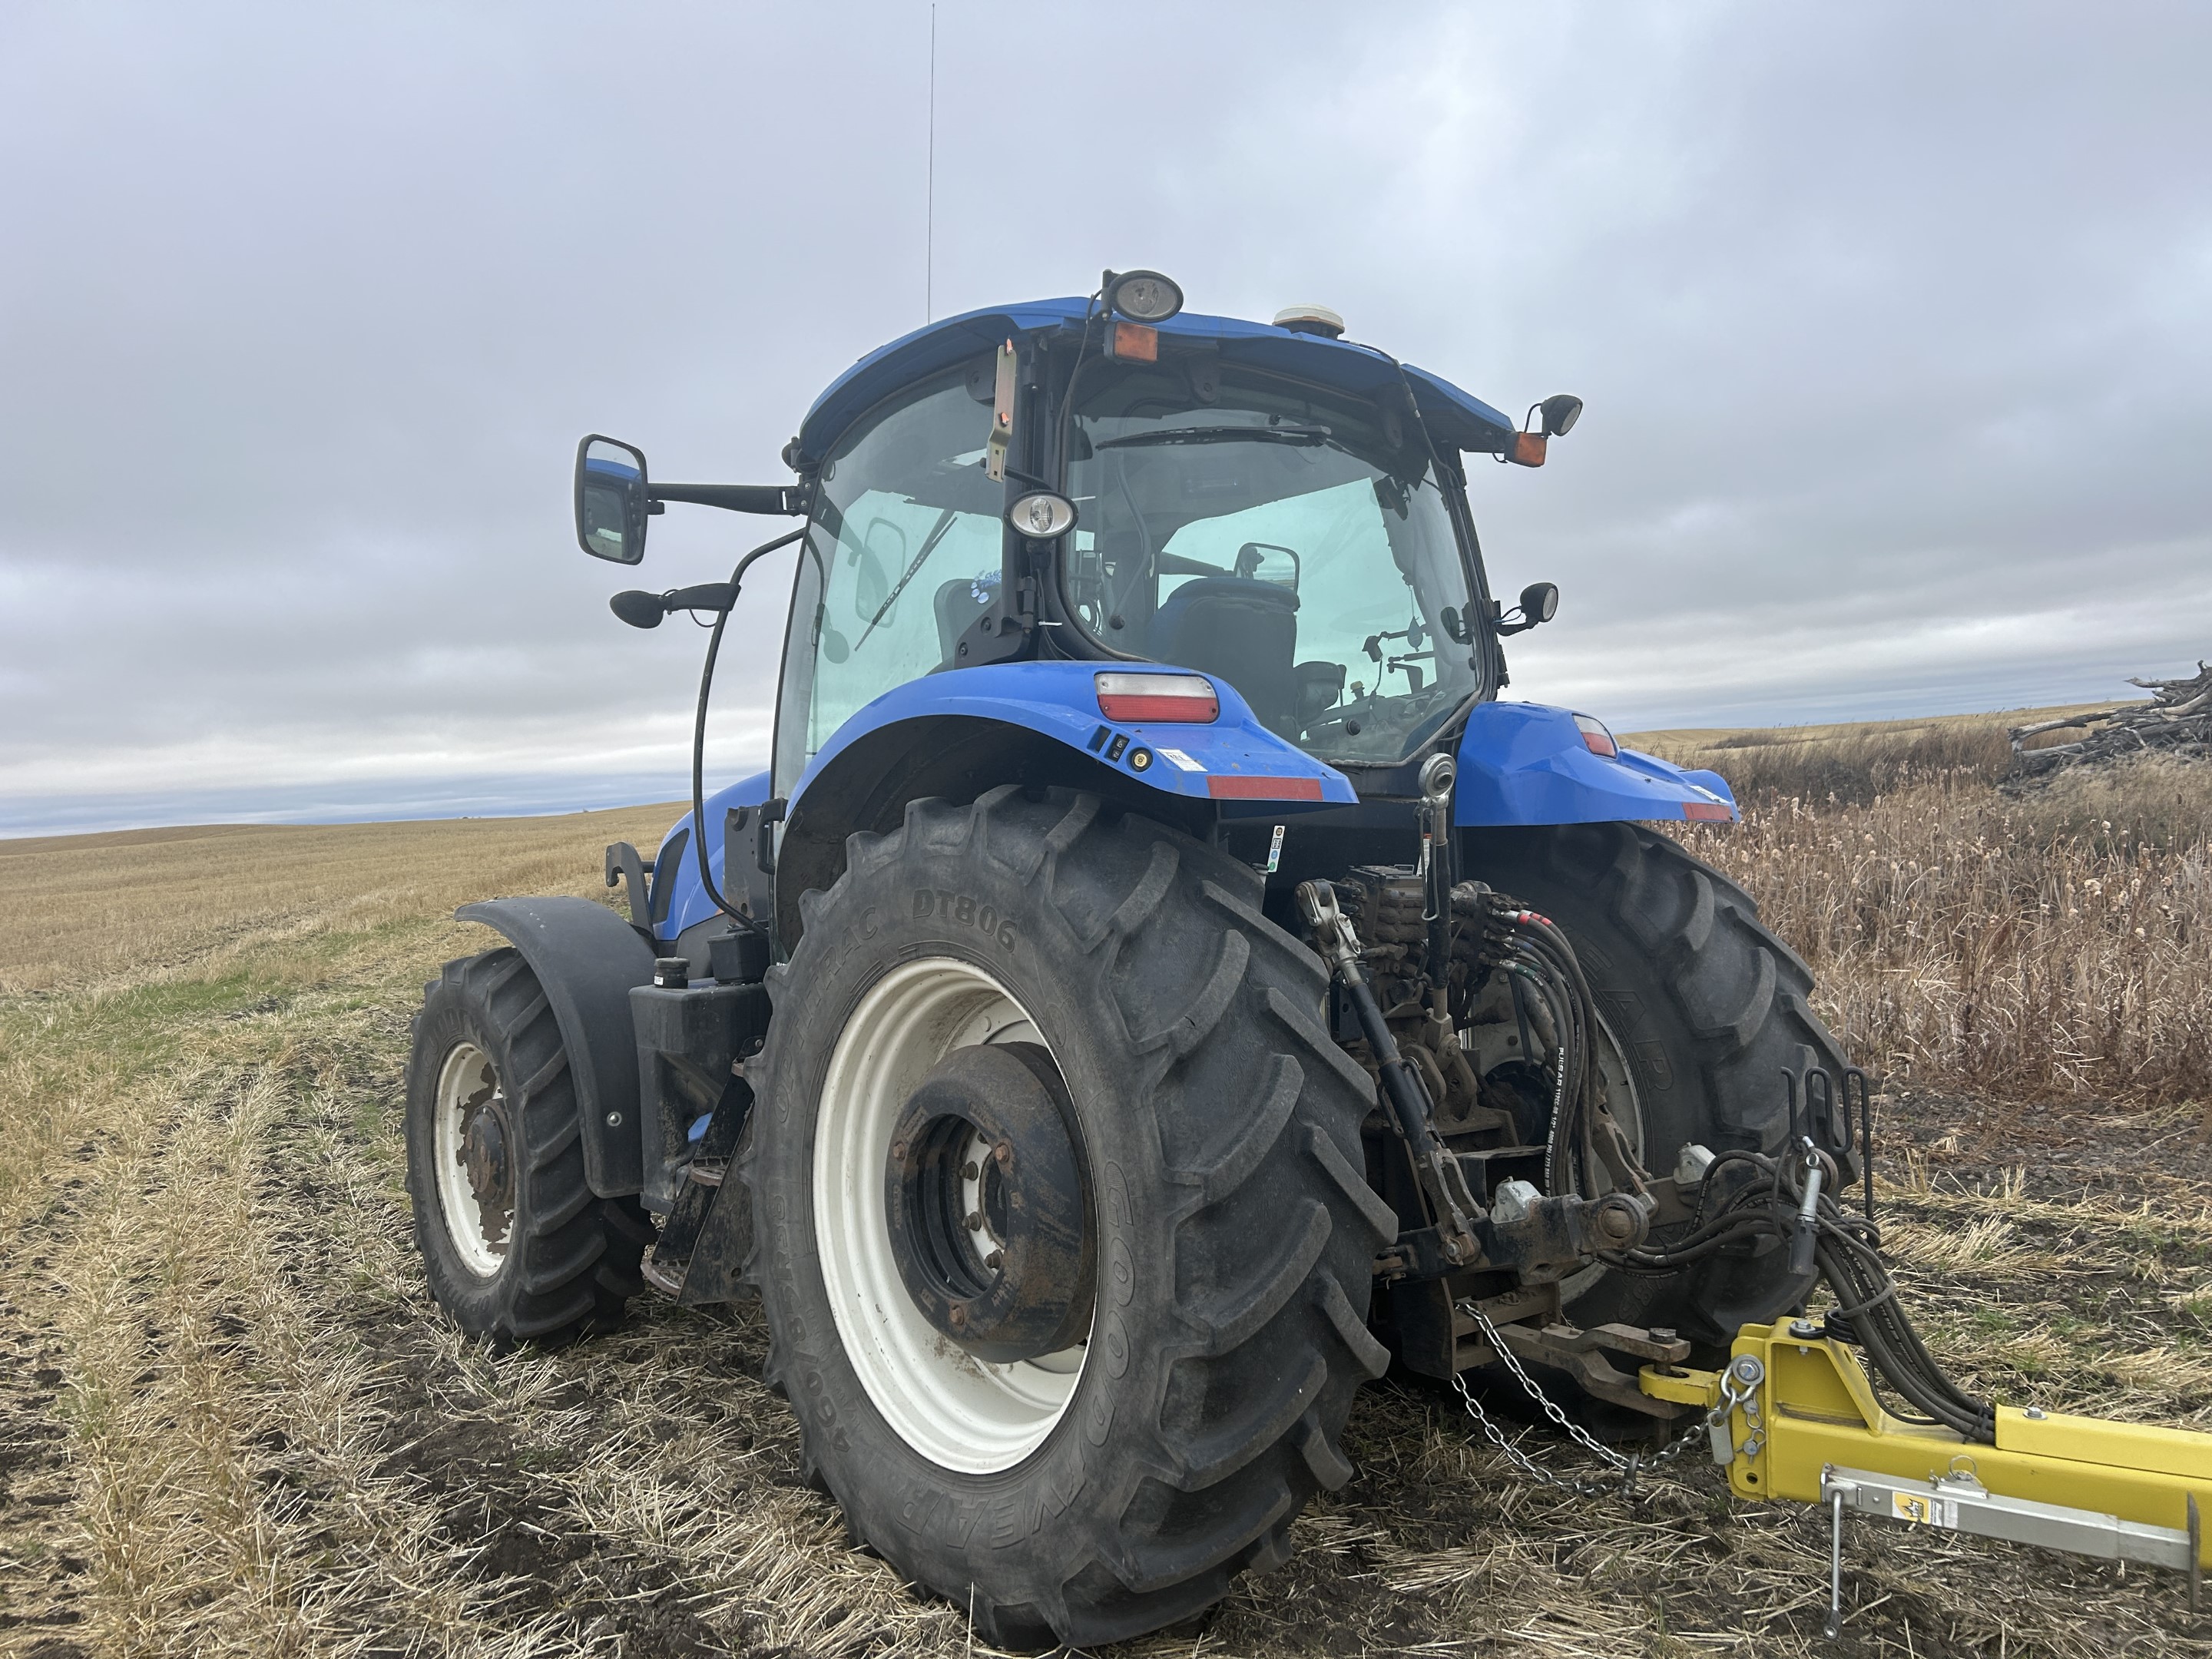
2043 948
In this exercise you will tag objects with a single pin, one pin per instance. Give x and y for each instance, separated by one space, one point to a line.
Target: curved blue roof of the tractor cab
1454 417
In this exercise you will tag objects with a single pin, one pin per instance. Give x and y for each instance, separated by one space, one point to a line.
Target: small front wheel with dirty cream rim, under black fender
517 1244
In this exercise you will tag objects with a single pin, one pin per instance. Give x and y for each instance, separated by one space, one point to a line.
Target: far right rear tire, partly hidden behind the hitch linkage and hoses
1709 1010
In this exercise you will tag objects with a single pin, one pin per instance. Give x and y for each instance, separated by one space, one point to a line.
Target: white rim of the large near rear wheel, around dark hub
948 1406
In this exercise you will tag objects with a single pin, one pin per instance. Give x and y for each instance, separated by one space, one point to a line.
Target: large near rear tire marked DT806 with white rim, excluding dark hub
1231 1224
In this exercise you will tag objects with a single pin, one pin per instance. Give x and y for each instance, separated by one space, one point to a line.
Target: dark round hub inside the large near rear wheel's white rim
988 1204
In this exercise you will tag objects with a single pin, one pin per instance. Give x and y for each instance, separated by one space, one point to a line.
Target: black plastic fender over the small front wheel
587 959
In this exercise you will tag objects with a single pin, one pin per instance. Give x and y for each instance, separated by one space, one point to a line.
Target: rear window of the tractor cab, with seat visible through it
1286 541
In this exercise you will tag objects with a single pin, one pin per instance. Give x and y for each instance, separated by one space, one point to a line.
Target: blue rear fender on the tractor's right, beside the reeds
1527 764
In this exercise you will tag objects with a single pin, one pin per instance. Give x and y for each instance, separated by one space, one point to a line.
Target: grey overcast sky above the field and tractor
1895 326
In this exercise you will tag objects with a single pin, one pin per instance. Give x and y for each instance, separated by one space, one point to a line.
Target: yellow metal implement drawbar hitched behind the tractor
1802 1423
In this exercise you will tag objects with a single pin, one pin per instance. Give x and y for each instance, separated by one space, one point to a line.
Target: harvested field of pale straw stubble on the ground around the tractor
233 1423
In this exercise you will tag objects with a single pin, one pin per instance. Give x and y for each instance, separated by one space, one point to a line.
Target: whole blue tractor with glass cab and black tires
1156 988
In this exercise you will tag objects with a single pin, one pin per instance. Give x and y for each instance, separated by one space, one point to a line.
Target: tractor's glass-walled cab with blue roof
1264 505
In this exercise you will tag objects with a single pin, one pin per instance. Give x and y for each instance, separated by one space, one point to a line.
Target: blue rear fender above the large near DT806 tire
1036 724
